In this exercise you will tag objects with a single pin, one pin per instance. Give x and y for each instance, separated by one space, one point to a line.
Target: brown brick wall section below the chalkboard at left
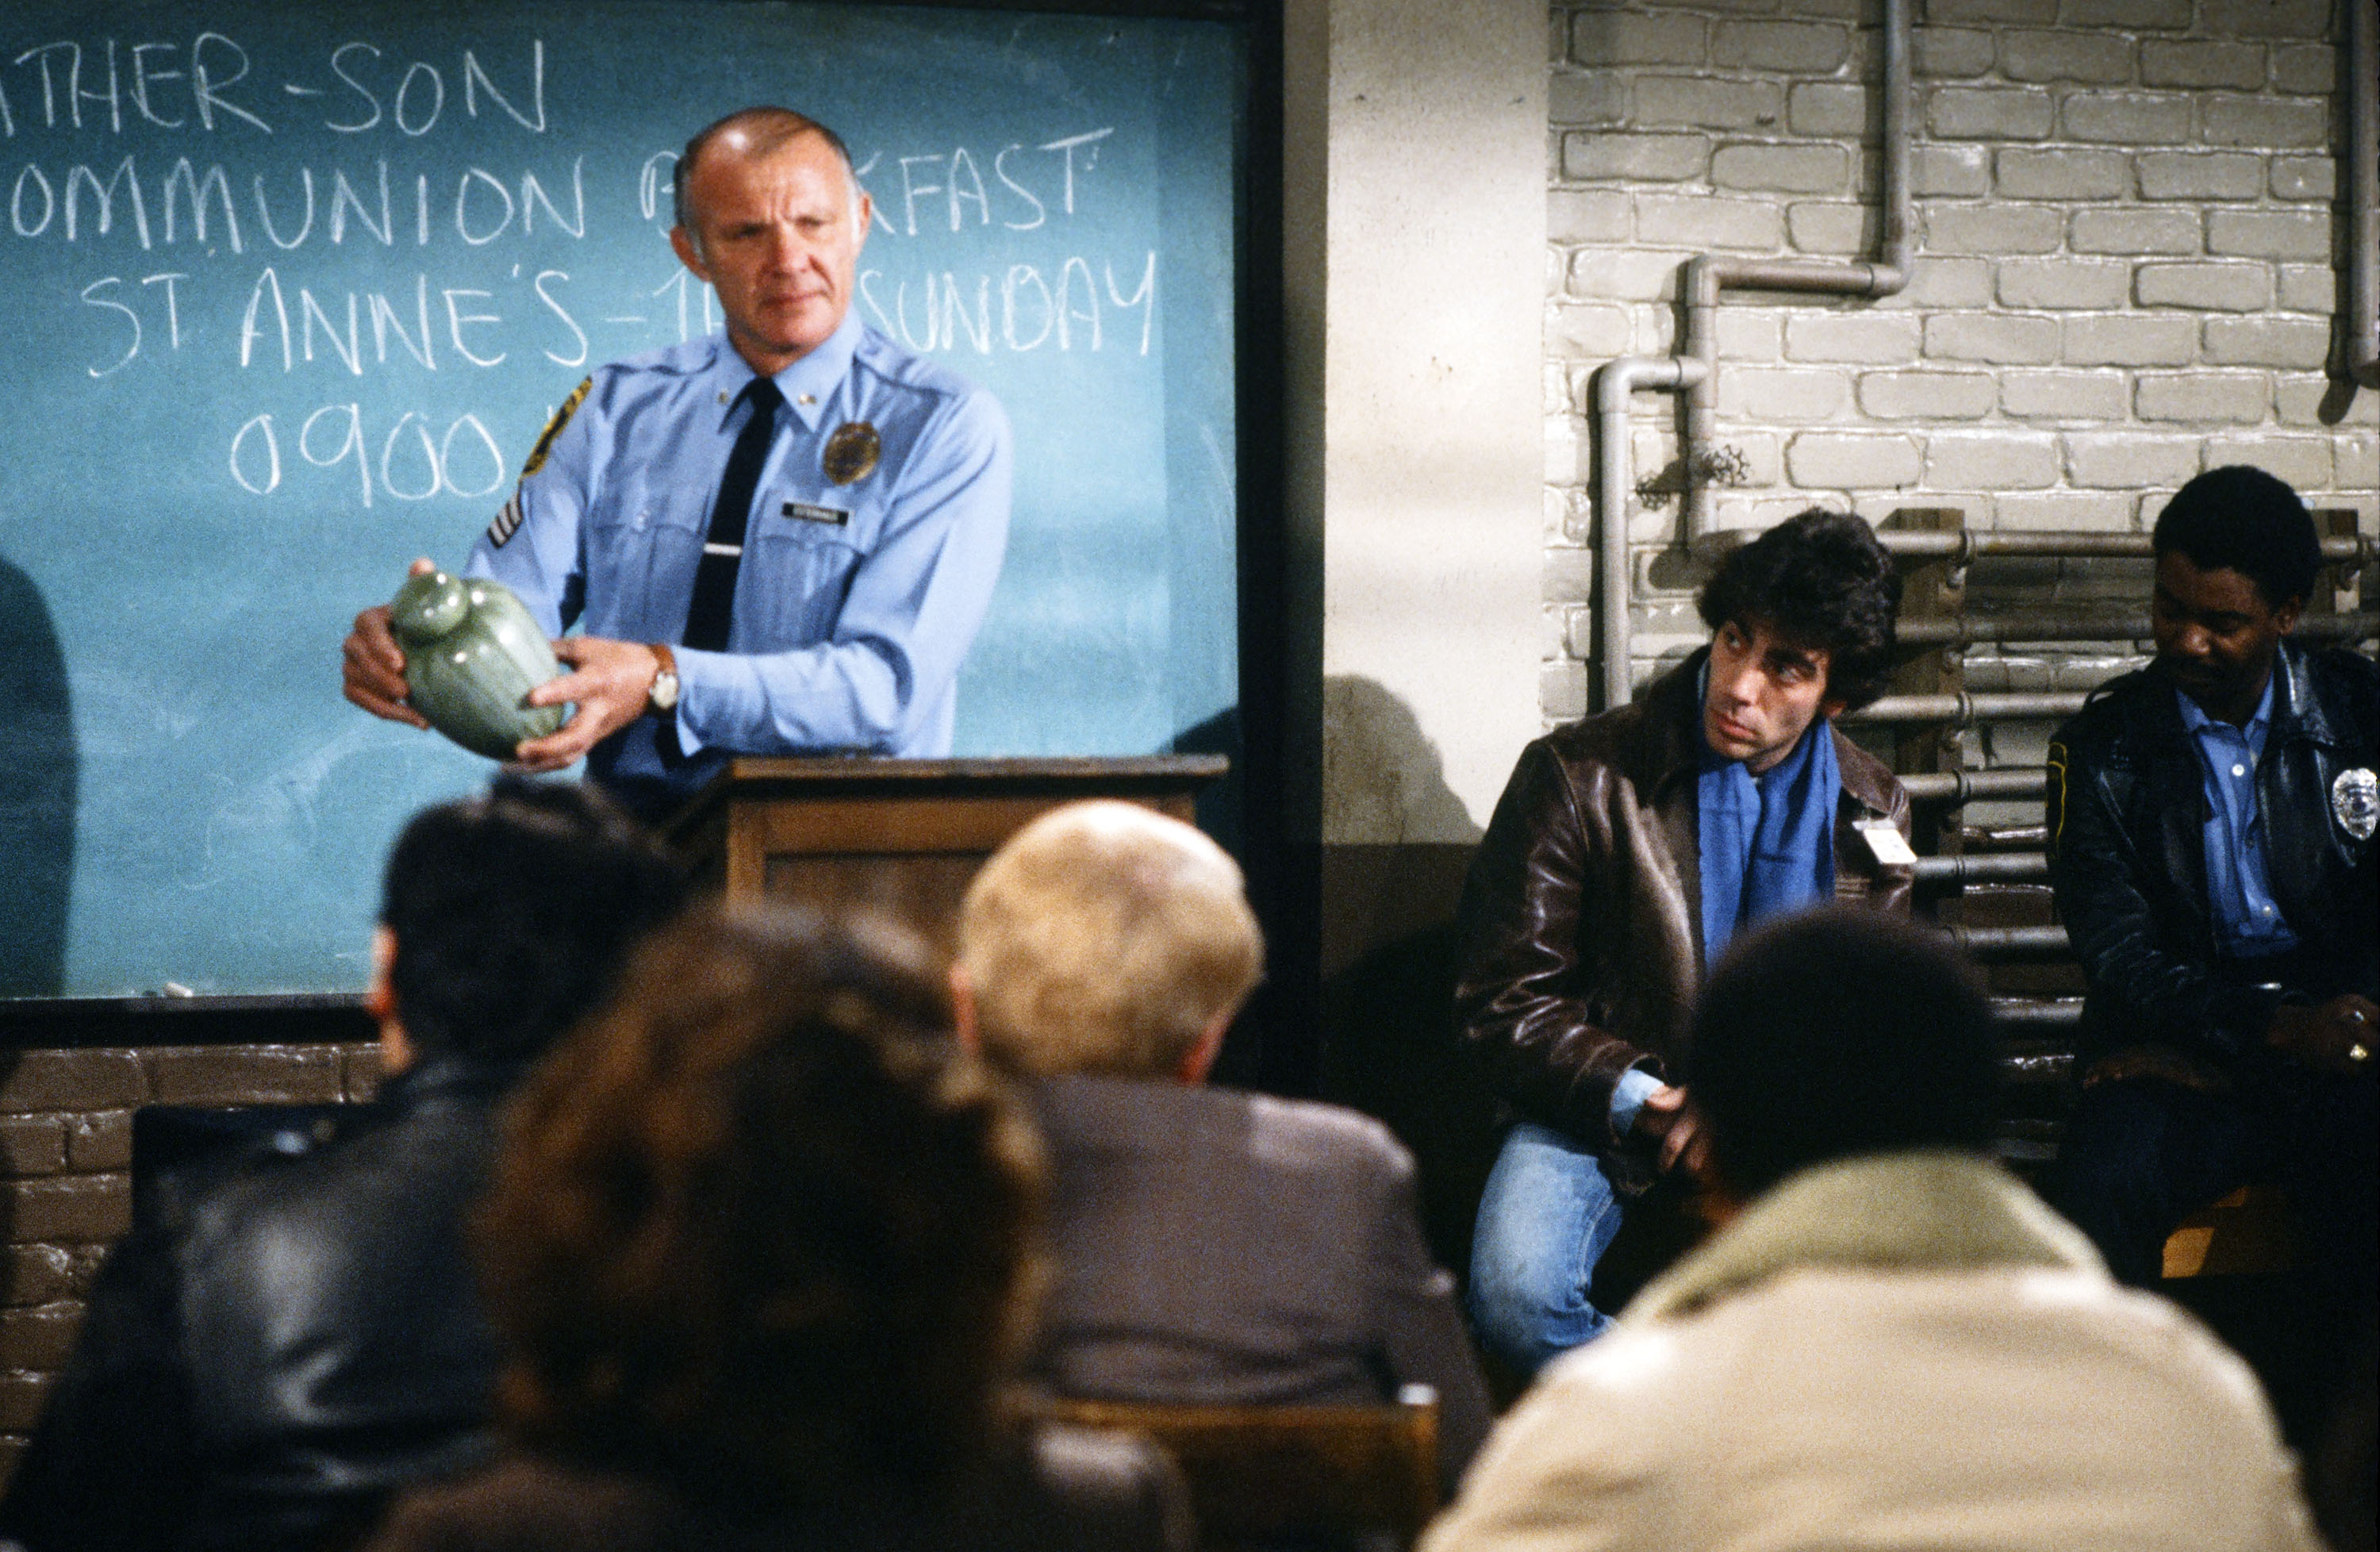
65 1175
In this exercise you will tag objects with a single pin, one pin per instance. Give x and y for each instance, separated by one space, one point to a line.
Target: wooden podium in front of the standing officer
898 837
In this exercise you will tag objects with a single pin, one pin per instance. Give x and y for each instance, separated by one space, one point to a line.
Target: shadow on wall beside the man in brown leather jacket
1391 953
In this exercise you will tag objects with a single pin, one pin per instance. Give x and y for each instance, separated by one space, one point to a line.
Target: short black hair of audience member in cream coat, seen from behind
1839 1034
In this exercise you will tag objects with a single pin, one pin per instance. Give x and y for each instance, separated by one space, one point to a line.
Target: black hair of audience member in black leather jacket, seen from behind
515 913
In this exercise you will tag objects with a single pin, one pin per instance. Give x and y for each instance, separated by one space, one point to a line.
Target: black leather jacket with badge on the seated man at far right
2129 858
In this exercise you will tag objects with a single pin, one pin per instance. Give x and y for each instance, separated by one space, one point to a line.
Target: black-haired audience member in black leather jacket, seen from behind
282 1351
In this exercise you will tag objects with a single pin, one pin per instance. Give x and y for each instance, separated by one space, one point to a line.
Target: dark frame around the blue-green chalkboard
1274 1041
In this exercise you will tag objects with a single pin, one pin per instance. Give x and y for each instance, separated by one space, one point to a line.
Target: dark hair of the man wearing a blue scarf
1824 582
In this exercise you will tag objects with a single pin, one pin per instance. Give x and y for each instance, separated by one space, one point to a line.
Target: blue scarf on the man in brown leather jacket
1767 841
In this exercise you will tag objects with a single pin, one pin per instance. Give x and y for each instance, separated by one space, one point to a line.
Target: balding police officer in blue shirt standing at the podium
779 539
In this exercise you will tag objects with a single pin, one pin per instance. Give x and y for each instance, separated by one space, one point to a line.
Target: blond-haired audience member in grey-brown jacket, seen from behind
1210 1246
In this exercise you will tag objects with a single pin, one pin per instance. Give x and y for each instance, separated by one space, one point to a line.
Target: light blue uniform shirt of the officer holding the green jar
856 603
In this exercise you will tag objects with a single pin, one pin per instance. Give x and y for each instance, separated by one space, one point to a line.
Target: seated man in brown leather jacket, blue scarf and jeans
1622 858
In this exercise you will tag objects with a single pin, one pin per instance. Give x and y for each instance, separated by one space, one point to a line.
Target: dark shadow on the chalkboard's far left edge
37 794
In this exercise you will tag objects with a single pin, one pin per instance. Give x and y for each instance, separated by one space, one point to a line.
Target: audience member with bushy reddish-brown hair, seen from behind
760 1244
